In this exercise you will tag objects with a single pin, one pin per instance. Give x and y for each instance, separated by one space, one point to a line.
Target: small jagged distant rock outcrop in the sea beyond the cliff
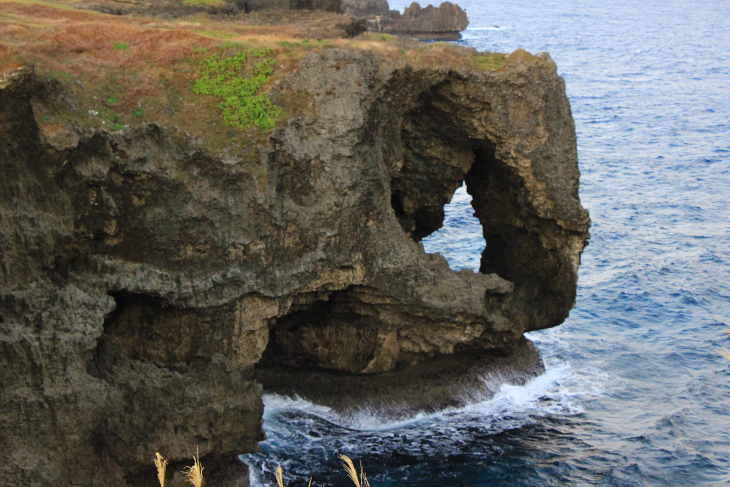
444 22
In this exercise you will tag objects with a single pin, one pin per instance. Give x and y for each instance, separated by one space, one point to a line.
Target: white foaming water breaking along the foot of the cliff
498 407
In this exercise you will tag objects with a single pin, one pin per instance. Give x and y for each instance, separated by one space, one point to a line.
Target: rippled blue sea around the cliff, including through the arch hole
634 393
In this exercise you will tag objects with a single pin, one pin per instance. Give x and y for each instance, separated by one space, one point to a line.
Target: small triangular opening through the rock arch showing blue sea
461 238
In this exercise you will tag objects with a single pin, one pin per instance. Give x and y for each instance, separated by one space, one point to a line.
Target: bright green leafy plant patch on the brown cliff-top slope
226 79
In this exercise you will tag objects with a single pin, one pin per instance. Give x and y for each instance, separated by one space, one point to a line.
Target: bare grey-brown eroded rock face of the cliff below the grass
143 279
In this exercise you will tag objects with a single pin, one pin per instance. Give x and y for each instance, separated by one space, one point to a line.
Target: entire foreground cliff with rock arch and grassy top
165 251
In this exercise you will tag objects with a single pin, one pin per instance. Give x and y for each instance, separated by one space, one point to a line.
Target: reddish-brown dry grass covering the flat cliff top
145 65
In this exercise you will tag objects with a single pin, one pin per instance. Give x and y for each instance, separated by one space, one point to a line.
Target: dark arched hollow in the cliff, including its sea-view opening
443 193
